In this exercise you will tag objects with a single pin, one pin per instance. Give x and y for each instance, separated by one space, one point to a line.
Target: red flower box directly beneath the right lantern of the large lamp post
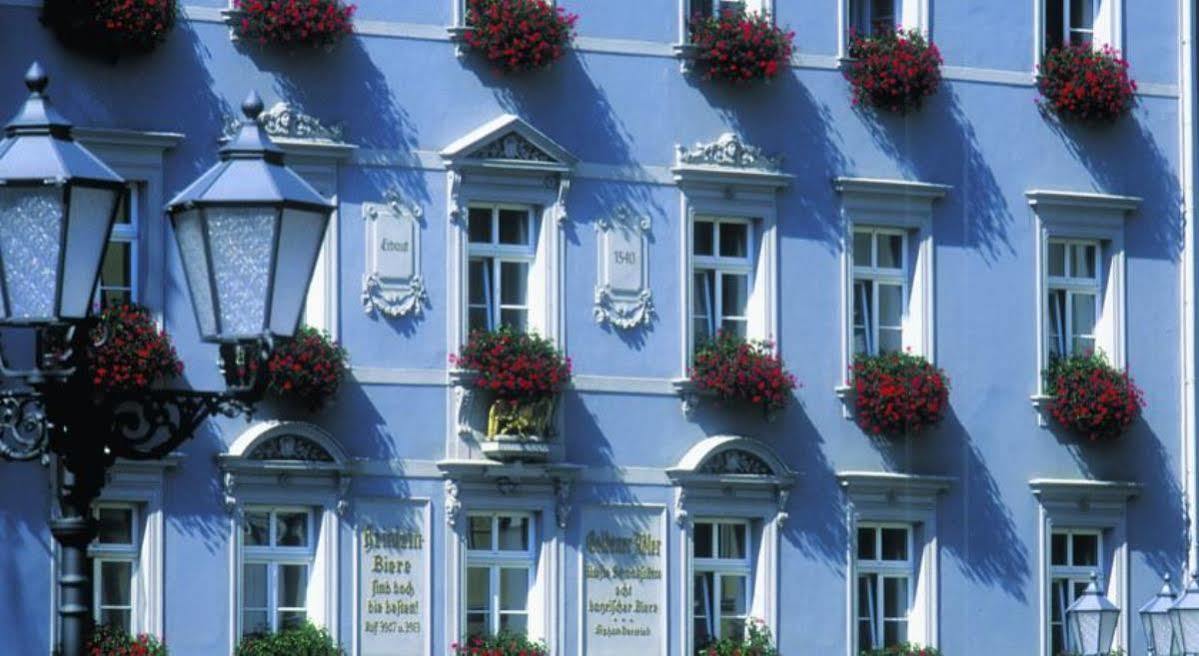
309 368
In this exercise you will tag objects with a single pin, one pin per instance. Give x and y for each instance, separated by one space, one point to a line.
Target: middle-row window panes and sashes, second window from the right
881 290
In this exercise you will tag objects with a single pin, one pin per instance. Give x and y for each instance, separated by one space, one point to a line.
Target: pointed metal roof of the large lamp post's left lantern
39 146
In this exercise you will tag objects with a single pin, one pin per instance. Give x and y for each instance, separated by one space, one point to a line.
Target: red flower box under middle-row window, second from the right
899 394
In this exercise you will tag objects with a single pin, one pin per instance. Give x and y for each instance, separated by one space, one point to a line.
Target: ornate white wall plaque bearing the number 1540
623 292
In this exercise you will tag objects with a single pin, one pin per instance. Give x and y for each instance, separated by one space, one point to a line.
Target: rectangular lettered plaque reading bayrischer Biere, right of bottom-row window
624 581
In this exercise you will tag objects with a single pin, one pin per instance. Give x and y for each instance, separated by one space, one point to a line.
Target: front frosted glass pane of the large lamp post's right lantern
242 242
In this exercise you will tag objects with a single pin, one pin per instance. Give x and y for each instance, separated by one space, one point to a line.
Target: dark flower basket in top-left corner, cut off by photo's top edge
111 28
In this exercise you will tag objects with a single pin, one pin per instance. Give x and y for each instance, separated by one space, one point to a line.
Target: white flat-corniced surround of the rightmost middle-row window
1077 216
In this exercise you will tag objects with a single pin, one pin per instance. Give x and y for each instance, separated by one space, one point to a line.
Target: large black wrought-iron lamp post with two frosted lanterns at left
249 230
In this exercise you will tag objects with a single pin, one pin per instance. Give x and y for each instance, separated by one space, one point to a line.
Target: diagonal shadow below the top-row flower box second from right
957 159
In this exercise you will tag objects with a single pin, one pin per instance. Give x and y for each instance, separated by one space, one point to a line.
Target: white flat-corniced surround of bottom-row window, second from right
884 499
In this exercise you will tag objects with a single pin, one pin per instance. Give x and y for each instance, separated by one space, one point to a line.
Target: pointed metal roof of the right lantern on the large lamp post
251 172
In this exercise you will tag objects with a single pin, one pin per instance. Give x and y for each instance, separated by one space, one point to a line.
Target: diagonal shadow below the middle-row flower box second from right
977 525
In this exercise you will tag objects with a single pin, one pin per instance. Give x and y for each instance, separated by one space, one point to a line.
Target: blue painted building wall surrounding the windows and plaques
986 140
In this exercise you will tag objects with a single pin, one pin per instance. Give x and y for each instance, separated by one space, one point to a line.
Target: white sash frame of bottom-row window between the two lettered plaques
497 559
